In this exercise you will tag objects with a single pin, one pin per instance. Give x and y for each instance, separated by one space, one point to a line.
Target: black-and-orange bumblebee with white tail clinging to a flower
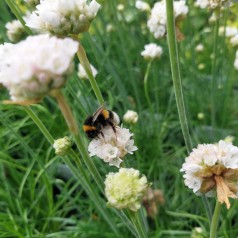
94 124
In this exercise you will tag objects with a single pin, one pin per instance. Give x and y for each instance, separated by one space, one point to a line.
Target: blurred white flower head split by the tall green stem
157 20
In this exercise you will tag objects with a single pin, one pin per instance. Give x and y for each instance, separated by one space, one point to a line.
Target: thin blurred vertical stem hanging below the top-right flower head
214 79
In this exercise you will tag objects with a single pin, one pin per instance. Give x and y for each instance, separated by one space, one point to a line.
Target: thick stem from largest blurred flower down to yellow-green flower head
69 118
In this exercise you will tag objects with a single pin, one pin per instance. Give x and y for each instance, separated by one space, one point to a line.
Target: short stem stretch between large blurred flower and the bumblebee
86 65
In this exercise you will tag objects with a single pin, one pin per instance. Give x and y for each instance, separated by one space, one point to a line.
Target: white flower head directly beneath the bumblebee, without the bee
111 146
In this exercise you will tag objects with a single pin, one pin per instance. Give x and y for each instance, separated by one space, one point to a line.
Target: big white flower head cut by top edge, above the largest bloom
62 17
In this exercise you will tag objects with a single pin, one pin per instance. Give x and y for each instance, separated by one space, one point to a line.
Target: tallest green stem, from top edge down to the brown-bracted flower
174 61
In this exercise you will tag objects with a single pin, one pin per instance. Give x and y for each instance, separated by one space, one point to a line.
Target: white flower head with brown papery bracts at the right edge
213 169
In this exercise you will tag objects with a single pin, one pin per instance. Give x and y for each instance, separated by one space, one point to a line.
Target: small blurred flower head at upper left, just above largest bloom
15 31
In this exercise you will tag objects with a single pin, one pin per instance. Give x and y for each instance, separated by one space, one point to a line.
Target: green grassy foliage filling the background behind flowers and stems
41 197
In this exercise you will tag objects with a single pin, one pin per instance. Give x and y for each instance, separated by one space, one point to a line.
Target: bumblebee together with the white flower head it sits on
109 142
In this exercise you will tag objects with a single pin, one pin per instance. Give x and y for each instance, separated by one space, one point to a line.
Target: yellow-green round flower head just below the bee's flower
125 189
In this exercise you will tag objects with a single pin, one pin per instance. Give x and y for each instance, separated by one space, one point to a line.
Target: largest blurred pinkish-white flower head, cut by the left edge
35 66
